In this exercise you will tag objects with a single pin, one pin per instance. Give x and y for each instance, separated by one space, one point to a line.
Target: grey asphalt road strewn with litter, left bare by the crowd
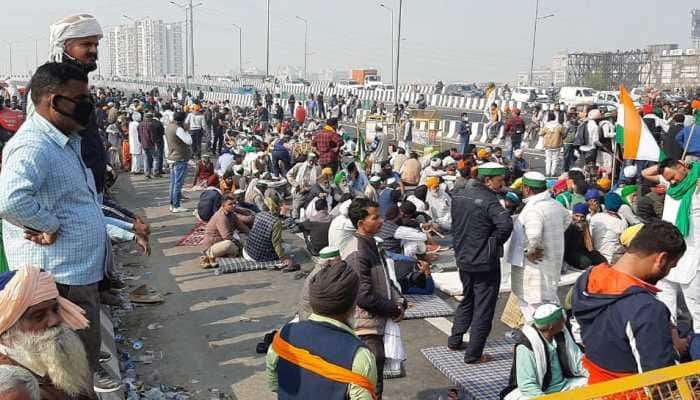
211 324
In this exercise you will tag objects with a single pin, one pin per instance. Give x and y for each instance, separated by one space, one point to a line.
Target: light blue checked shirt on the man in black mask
46 187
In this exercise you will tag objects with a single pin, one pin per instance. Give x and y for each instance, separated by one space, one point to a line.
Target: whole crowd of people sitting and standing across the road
376 215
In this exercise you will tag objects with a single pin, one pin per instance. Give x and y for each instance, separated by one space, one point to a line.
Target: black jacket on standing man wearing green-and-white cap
481 226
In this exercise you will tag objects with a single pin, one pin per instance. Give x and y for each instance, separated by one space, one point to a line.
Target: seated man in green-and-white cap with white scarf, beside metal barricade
546 359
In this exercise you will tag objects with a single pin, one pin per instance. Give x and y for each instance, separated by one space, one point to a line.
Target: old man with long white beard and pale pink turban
37 333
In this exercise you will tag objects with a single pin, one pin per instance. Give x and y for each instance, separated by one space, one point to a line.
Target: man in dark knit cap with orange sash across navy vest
311 359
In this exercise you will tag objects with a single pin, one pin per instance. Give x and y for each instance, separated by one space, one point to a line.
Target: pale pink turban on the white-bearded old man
28 287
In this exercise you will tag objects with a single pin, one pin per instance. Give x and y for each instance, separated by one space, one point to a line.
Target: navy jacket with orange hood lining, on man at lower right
624 327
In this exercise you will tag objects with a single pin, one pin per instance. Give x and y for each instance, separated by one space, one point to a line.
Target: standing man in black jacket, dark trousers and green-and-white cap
480 227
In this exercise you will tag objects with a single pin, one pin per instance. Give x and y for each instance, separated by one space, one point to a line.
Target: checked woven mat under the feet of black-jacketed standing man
478 381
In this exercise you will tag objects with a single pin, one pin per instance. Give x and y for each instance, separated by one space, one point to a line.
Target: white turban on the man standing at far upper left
73 27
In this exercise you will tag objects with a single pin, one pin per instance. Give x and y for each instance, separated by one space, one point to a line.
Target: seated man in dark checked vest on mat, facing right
265 238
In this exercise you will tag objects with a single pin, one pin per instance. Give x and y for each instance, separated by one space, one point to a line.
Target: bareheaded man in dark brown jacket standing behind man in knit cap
378 300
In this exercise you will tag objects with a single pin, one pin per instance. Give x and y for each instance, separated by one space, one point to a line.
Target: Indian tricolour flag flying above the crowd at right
633 134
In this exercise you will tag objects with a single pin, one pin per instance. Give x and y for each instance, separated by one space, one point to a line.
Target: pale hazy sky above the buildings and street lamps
470 40
